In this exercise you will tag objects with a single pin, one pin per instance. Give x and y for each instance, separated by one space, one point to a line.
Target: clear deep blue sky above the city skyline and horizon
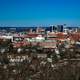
39 12
